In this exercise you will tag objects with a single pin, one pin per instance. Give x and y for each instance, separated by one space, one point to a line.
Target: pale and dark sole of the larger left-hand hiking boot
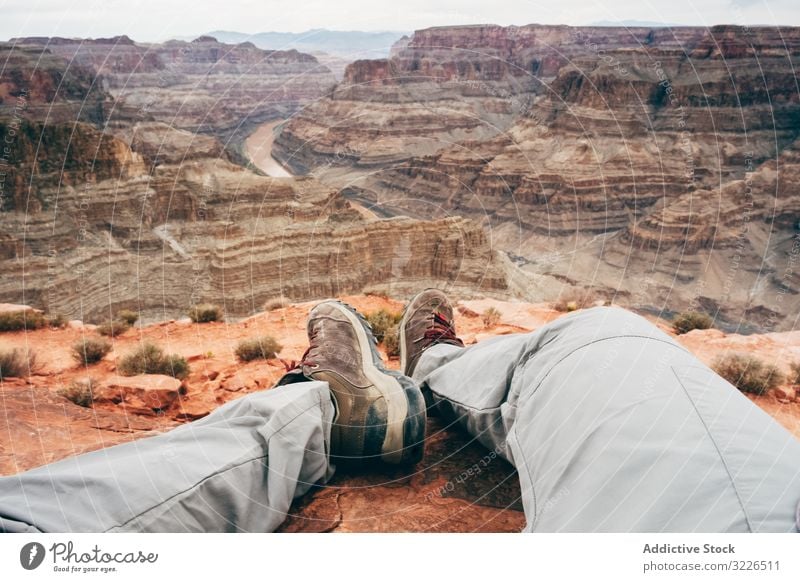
405 405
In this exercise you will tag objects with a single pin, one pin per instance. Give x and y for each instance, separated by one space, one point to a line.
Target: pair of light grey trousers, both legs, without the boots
611 424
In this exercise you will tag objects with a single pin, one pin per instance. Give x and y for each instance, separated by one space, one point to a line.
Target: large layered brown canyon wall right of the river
622 159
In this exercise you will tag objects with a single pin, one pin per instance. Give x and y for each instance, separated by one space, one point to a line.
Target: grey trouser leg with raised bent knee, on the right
613 426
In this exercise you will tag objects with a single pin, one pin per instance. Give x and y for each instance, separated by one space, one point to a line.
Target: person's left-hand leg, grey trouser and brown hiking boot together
239 468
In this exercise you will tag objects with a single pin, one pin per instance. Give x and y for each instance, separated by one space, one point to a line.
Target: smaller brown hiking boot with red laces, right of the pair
427 321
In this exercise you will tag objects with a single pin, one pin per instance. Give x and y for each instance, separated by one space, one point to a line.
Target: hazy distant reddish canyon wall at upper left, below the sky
202 86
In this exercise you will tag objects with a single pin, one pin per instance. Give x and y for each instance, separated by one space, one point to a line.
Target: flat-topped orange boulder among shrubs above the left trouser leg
146 394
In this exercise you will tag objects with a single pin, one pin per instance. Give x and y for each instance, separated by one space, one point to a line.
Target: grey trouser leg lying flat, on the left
238 469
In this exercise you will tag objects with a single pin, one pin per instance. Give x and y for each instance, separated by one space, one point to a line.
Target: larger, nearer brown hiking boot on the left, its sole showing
380 414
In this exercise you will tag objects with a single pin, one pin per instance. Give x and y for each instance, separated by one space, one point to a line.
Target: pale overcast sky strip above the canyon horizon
161 19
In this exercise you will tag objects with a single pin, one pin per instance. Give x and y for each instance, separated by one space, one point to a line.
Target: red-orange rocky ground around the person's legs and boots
459 486
